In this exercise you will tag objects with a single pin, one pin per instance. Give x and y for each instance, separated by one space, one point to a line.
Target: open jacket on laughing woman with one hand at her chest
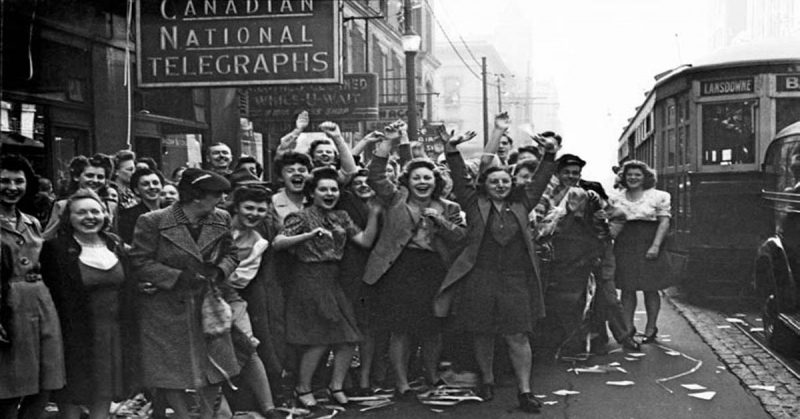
399 224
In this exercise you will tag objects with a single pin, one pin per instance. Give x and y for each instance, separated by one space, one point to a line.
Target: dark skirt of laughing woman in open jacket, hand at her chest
404 295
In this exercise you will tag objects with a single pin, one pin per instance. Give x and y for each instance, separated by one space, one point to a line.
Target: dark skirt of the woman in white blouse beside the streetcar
634 272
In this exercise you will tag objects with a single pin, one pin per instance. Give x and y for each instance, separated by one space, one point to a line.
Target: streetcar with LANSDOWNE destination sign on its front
705 128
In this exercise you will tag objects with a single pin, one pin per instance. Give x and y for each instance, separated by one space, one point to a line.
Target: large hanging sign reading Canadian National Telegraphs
237 42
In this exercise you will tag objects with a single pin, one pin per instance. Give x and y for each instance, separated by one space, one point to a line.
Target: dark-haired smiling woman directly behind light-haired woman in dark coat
85 173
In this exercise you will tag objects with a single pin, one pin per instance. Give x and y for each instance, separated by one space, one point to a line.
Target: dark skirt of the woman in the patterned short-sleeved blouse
317 310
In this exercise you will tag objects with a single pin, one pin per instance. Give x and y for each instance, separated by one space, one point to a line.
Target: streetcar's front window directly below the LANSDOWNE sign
729 132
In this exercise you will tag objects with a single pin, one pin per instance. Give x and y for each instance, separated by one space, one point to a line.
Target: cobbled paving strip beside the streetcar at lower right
743 357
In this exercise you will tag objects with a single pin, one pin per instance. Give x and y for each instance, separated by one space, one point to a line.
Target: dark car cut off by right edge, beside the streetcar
777 263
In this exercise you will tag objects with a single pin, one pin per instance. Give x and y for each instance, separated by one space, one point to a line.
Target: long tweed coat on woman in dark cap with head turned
175 352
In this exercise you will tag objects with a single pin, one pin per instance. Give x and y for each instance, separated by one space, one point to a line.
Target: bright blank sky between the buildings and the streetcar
601 54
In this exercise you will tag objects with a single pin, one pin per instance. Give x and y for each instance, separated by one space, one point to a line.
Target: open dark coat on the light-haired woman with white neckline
62 274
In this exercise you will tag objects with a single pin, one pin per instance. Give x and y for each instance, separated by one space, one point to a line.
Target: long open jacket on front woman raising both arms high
477 206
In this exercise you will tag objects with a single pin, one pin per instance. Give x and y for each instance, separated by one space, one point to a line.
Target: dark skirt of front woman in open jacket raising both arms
493 302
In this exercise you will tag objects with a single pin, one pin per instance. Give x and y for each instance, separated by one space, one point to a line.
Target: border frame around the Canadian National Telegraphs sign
336 60
